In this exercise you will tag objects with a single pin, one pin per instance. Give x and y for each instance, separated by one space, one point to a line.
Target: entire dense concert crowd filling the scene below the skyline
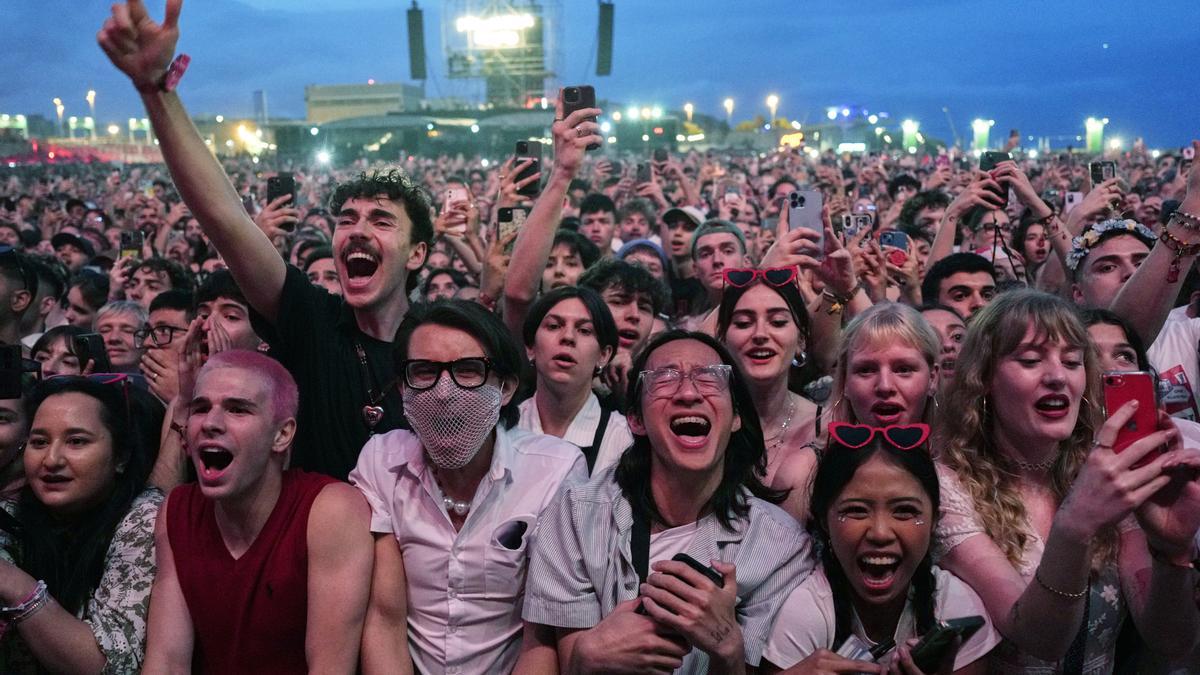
944 421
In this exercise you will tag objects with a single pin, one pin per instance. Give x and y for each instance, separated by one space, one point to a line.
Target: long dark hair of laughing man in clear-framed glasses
746 457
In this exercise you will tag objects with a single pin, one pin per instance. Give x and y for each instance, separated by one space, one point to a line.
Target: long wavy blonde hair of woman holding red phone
965 439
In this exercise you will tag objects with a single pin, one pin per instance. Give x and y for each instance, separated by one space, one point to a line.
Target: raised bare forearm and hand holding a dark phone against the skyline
537 238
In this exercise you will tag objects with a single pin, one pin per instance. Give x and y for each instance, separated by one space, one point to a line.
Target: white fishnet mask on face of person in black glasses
452 422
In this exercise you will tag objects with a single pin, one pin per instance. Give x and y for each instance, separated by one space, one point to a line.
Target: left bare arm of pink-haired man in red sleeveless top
170 636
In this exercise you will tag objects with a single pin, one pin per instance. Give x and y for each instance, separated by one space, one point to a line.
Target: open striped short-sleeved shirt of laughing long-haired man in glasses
583 568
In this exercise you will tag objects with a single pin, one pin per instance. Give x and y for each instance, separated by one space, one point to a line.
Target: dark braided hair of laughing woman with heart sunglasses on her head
837 469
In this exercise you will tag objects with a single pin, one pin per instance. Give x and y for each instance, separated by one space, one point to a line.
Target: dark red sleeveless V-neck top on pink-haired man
249 614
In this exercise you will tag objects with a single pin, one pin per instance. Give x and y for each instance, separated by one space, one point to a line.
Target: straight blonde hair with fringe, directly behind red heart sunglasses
884 324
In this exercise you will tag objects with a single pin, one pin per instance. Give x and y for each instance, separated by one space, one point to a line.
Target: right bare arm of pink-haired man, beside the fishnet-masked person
340 563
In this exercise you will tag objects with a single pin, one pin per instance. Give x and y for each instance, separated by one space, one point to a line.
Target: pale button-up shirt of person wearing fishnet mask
466 588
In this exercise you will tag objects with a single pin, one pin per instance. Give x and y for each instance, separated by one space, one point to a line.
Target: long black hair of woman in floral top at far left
69 555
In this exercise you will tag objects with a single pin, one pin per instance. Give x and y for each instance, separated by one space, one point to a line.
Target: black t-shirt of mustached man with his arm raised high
315 339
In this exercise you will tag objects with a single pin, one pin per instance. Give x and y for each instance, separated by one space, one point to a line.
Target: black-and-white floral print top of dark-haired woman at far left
117 610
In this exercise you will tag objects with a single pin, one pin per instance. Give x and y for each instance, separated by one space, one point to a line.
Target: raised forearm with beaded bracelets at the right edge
1148 297
